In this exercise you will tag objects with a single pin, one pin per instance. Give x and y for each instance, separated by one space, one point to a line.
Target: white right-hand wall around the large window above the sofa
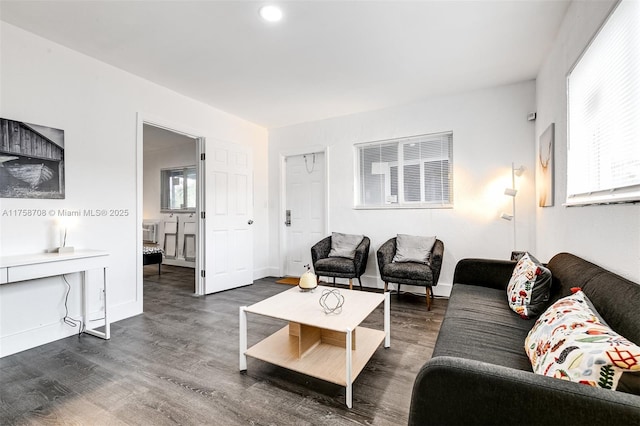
606 235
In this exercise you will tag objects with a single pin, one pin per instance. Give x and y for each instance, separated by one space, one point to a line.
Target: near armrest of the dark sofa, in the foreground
455 391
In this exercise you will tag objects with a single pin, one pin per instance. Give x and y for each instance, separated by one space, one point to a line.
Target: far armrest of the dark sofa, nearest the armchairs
484 272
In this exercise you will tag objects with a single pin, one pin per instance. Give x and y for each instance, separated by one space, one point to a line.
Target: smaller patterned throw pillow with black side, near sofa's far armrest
529 287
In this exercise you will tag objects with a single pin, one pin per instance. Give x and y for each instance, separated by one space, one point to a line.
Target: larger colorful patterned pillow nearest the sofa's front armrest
569 342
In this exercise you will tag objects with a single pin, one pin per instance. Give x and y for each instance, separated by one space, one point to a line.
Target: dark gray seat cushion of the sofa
479 325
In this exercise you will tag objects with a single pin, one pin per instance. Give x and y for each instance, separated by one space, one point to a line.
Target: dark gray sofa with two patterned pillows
479 373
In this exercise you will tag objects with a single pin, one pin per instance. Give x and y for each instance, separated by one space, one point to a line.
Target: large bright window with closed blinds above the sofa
603 88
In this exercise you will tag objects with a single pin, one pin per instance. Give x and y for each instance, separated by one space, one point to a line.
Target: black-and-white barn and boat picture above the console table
31 160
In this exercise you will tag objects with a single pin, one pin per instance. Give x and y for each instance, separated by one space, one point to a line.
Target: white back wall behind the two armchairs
490 131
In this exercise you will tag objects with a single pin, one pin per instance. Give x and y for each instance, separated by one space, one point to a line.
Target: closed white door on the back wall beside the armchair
305 202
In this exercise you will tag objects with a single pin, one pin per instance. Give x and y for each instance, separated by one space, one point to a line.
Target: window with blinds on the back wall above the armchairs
406 172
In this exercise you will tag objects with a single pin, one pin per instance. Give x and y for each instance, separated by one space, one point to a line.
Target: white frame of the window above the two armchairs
400 163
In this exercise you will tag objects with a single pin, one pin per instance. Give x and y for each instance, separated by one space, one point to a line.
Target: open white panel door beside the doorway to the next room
229 209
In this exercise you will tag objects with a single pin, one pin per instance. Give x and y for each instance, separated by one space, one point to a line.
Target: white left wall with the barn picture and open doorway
97 106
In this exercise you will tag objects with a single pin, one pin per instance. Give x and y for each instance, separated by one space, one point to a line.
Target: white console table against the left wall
21 268
